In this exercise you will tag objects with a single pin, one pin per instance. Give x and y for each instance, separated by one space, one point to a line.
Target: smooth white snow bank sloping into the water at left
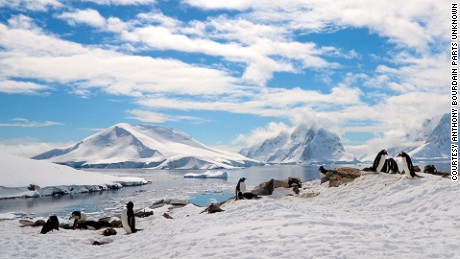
17 173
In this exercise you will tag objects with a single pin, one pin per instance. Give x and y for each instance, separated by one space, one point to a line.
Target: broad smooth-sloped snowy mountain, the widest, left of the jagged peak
144 146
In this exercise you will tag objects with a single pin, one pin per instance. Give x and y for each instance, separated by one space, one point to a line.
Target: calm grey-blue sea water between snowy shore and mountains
166 184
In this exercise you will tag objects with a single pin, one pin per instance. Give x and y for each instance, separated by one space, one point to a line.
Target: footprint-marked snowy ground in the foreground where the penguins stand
375 216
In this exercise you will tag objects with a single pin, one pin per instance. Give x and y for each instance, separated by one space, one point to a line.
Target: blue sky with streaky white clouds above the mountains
227 73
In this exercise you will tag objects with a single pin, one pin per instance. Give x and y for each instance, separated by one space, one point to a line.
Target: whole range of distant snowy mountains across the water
147 146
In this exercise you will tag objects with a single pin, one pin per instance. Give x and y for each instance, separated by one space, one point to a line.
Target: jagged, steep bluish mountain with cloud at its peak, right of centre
303 145
